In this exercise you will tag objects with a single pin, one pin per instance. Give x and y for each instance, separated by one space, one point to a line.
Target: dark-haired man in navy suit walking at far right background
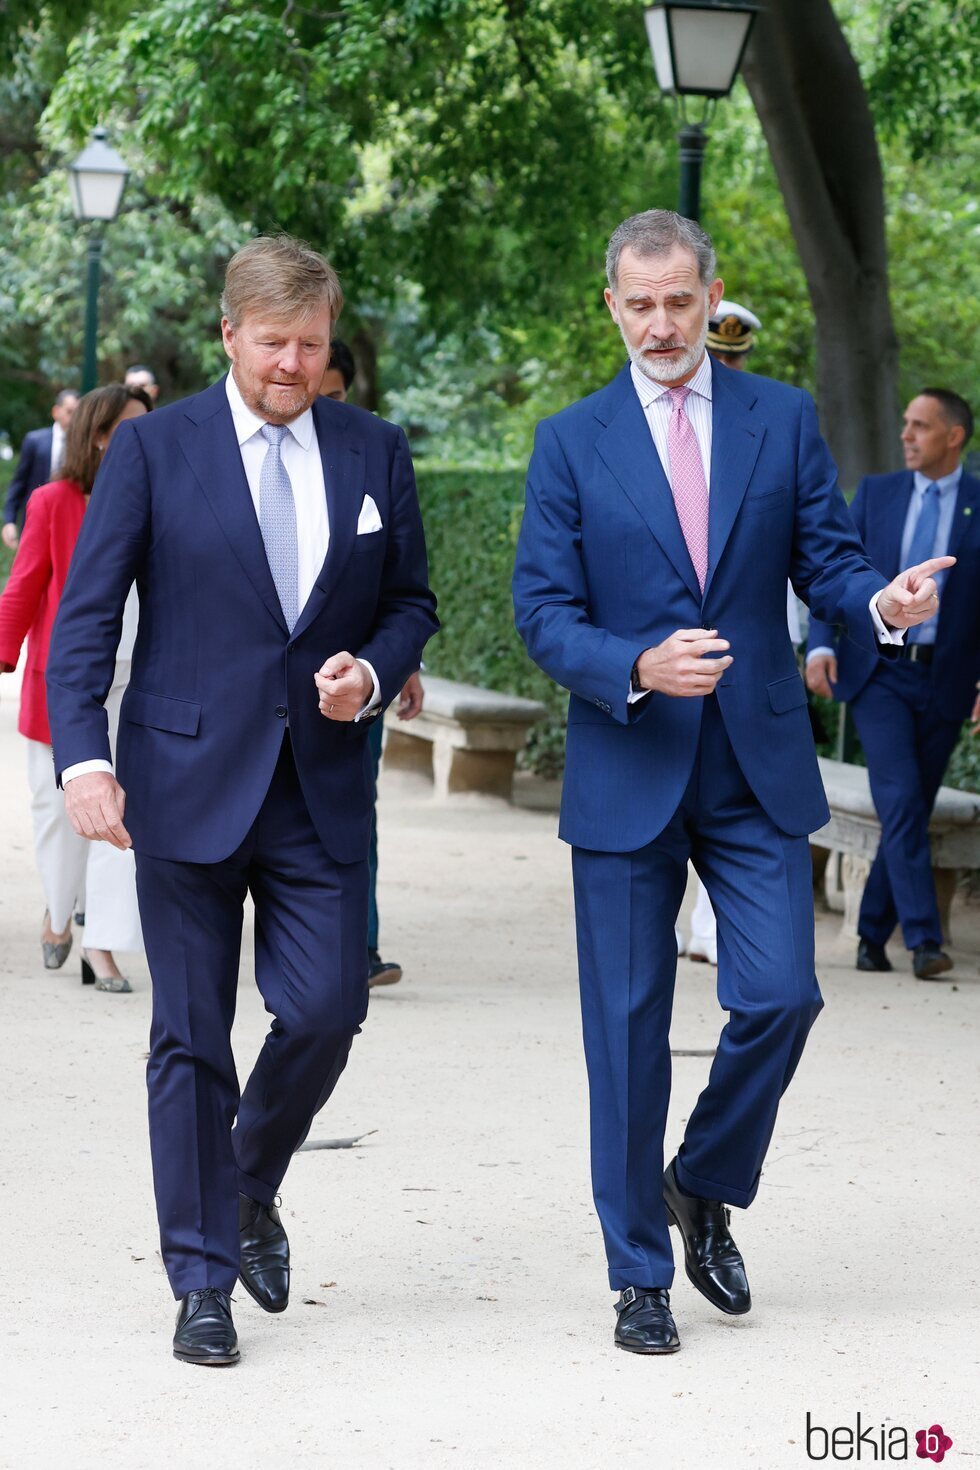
909 714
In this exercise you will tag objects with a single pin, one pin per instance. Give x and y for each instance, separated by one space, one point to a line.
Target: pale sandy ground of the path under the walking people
450 1302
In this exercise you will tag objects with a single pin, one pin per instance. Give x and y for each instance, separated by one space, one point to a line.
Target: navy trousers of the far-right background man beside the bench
907 747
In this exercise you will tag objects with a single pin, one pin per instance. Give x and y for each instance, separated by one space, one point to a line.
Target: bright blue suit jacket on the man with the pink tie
603 573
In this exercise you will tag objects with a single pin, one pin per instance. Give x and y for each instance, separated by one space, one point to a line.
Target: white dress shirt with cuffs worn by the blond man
300 453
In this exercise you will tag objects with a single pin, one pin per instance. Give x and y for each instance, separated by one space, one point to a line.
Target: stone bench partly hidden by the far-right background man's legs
853 837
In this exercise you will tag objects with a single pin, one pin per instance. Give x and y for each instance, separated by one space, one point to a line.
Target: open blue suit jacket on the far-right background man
879 511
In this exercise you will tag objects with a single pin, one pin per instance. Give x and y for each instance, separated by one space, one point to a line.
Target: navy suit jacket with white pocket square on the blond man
215 670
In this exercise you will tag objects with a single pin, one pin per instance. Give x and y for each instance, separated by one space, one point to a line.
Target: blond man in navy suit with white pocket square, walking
278 552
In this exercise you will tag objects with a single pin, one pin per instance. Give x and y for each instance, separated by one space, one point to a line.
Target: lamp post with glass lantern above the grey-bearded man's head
697 48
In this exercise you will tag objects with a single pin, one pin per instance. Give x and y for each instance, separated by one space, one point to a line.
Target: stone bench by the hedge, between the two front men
466 739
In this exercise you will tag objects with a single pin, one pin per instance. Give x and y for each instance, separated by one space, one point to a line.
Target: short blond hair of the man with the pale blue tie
281 279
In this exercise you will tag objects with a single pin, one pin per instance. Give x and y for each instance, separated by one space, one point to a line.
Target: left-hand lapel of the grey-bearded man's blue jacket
628 451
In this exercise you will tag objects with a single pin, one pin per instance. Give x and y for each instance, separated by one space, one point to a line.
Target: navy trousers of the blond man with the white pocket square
209 1141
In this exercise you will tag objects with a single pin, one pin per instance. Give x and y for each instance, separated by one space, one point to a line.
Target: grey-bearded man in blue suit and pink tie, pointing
663 518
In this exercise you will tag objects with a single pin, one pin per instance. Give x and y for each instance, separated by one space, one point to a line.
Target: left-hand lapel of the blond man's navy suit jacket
211 448
